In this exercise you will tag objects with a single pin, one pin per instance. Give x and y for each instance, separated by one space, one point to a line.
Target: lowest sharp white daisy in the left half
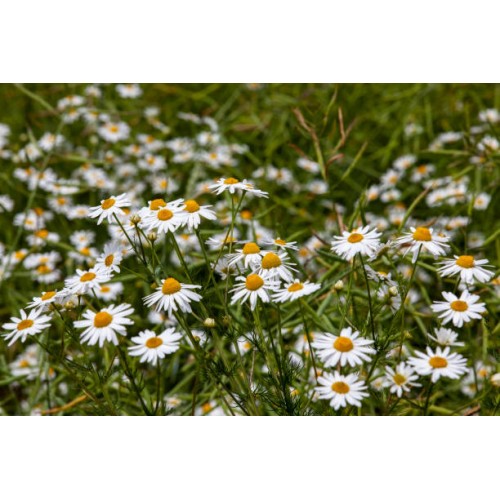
152 347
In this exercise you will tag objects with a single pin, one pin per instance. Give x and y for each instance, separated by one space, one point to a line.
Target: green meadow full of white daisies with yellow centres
249 249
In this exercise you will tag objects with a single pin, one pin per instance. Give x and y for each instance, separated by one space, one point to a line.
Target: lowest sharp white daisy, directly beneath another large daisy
341 390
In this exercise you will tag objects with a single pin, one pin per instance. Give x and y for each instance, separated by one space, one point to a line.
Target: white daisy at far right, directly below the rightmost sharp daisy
459 310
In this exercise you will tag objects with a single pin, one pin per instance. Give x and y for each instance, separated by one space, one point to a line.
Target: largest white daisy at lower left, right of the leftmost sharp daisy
105 324
